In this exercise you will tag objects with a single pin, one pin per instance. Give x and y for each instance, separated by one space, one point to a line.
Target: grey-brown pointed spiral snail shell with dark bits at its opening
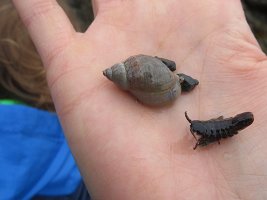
150 79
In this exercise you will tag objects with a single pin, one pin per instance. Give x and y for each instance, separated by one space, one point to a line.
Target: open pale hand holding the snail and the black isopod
126 150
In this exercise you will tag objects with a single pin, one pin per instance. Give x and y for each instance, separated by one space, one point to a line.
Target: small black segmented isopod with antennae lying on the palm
214 130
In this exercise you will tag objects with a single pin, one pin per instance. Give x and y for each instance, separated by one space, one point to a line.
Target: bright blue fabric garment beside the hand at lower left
34 156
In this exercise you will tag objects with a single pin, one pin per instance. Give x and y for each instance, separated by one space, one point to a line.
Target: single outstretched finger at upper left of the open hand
48 25
